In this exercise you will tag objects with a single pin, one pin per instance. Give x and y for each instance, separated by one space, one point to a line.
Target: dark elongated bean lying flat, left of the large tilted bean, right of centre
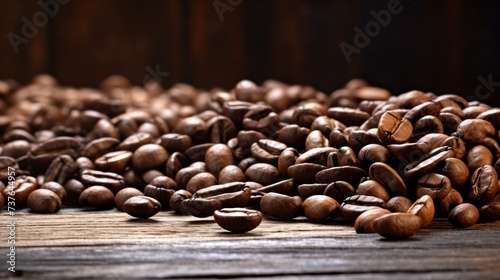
350 174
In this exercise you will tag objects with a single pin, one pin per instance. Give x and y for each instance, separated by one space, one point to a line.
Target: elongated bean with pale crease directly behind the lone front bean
230 195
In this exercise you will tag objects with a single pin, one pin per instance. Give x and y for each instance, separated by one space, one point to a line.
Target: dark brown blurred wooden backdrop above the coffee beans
439 46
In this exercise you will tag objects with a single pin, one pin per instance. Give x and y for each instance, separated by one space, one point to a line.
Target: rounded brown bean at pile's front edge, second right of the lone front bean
320 207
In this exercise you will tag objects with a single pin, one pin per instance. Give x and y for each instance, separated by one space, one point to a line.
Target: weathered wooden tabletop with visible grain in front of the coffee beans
76 244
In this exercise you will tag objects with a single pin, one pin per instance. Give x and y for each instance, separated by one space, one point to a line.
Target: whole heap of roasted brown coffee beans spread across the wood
386 163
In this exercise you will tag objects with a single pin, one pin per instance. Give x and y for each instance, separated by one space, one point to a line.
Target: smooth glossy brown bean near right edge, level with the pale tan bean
474 131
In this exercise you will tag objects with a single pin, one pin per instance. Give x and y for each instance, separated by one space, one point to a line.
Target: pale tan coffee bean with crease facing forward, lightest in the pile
392 129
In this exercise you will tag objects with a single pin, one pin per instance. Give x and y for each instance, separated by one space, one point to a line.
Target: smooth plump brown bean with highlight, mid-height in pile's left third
149 156
